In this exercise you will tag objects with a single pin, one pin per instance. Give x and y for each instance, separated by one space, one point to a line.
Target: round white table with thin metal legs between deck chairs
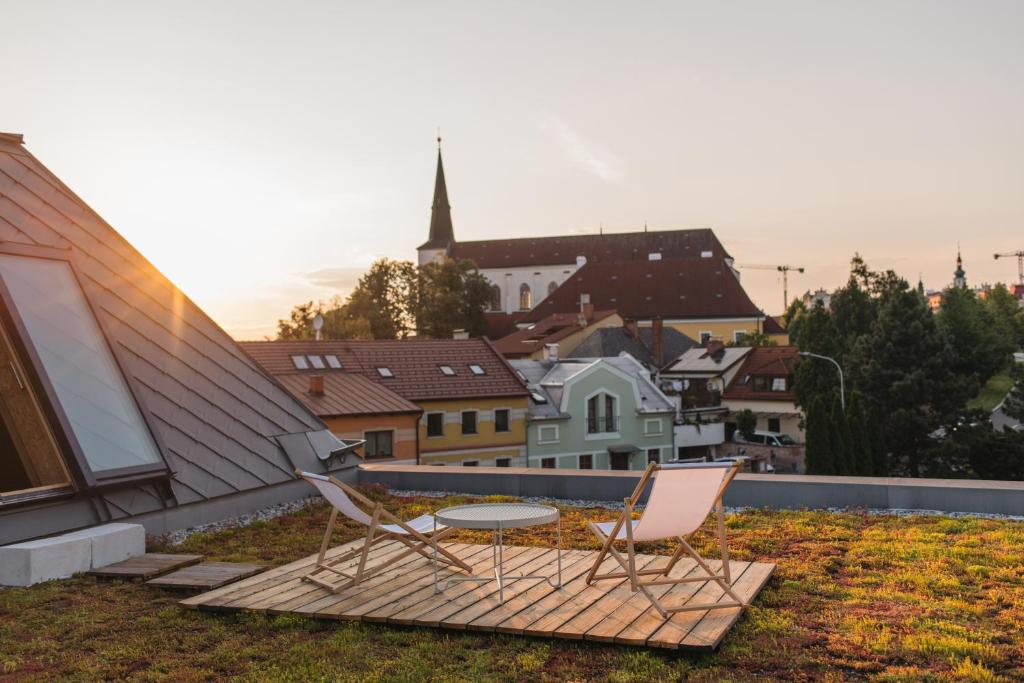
498 518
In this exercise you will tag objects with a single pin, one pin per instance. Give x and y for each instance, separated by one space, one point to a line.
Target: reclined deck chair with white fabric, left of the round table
420 536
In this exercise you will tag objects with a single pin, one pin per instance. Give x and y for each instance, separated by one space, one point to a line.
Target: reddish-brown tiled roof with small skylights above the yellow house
415 364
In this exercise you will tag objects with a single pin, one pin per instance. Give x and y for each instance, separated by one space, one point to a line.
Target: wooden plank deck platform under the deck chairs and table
606 612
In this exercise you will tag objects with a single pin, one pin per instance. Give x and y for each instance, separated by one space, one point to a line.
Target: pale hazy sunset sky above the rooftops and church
265 154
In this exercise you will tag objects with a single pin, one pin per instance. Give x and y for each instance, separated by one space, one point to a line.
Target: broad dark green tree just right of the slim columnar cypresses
904 368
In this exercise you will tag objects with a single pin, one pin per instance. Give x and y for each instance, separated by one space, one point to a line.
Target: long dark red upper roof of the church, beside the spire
598 248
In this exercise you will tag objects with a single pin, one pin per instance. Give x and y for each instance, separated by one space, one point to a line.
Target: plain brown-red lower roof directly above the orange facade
347 395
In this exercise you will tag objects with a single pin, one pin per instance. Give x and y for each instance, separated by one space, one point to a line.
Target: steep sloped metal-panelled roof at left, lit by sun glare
217 411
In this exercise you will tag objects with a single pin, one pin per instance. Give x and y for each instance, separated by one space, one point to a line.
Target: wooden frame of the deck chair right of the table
628 563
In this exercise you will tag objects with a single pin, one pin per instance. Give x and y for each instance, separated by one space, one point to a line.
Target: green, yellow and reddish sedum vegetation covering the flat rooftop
856 596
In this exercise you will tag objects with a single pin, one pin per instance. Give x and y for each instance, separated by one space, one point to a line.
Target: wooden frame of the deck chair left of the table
424 544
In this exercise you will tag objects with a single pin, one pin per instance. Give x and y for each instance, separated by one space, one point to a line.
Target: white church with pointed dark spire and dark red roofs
688 273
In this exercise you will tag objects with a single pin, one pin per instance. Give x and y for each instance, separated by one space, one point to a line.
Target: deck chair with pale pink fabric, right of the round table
681 499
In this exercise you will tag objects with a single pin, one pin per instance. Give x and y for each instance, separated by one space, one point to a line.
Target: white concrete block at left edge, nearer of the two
35 562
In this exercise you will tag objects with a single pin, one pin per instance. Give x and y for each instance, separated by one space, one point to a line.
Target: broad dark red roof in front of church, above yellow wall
670 288
